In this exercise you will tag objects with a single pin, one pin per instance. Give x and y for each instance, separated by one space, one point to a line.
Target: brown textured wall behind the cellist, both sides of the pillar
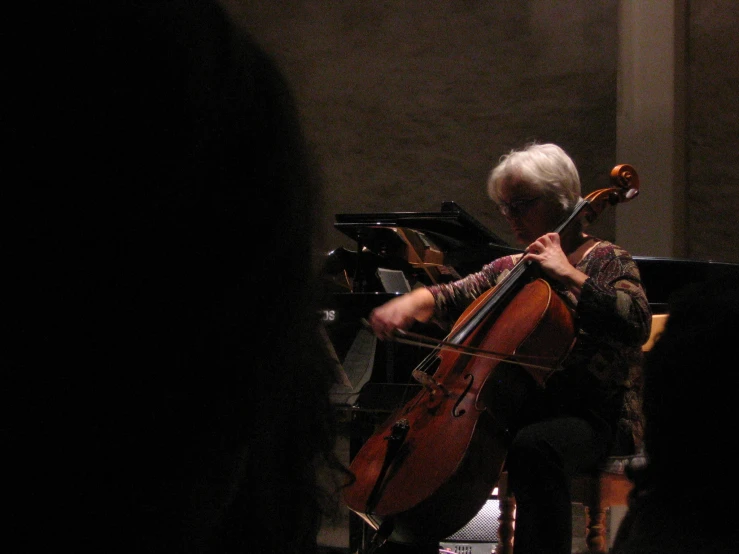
408 104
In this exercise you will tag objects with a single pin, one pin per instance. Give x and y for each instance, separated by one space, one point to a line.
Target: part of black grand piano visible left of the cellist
394 253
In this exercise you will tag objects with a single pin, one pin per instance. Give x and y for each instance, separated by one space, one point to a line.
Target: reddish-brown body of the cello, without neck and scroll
434 463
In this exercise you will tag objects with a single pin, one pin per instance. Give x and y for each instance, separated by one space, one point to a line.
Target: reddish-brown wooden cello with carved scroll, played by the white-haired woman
432 465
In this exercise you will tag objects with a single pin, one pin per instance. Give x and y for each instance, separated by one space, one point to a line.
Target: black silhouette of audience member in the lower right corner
684 496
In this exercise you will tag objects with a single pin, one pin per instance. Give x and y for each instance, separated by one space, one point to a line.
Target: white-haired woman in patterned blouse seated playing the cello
589 407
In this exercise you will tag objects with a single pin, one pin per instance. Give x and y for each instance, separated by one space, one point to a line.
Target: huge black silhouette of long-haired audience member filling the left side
170 372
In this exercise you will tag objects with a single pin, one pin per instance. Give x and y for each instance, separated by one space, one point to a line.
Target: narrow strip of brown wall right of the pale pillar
712 163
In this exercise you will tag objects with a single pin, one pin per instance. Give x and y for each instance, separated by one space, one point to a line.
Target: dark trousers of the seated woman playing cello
541 461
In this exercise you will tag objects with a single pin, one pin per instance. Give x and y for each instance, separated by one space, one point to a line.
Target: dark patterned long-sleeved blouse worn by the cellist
602 373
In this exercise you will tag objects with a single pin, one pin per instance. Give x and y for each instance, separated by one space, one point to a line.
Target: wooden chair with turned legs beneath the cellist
597 492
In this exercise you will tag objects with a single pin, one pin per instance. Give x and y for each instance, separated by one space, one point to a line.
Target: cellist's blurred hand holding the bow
401 313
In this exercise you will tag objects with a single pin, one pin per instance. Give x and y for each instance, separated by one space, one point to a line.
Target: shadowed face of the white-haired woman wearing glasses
529 213
